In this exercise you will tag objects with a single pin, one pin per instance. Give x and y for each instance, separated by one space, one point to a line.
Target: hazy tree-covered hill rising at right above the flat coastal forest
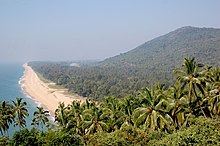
167 52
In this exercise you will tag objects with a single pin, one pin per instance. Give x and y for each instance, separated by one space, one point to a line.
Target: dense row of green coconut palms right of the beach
195 93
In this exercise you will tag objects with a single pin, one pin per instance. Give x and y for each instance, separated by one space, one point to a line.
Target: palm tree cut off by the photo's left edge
6 117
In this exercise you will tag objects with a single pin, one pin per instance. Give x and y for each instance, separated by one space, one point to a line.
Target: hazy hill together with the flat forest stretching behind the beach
143 66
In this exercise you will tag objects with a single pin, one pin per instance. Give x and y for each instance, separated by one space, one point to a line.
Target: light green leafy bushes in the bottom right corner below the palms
202 131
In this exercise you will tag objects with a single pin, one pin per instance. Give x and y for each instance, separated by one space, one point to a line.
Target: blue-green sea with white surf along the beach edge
11 87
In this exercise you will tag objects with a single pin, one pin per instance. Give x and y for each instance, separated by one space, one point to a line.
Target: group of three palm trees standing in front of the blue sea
16 114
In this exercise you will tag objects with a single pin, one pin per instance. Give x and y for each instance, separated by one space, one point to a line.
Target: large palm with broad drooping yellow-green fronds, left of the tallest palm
152 114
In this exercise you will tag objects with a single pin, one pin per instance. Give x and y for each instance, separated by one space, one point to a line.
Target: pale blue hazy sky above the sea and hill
93 29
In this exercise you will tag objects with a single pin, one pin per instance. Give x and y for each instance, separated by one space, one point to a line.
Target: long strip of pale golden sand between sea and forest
40 91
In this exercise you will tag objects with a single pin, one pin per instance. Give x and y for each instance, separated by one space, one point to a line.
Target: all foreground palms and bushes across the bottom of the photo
184 113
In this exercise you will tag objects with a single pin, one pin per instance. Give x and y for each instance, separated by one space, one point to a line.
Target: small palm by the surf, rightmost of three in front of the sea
40 117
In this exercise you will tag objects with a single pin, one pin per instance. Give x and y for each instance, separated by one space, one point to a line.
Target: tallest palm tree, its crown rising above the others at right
190 75
